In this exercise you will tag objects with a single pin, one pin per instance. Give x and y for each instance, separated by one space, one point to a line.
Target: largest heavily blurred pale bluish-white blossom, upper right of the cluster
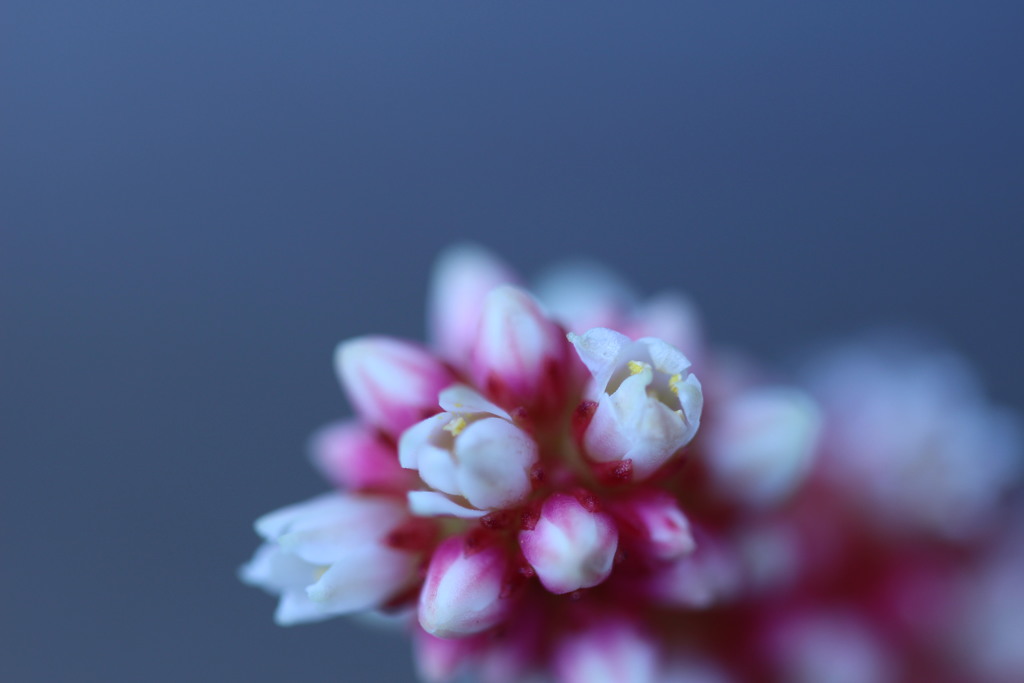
913 441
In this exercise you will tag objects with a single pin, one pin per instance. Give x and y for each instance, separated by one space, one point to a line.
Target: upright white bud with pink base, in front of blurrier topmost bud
519 354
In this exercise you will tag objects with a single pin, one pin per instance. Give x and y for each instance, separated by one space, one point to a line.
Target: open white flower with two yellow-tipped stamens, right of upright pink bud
649 403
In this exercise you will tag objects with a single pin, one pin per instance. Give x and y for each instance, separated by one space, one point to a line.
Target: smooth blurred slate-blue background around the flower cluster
198 200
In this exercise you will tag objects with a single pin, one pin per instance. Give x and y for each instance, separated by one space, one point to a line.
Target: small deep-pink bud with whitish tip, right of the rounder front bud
657 525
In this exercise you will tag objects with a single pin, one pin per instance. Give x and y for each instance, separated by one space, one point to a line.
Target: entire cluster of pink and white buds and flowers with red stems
552 494
